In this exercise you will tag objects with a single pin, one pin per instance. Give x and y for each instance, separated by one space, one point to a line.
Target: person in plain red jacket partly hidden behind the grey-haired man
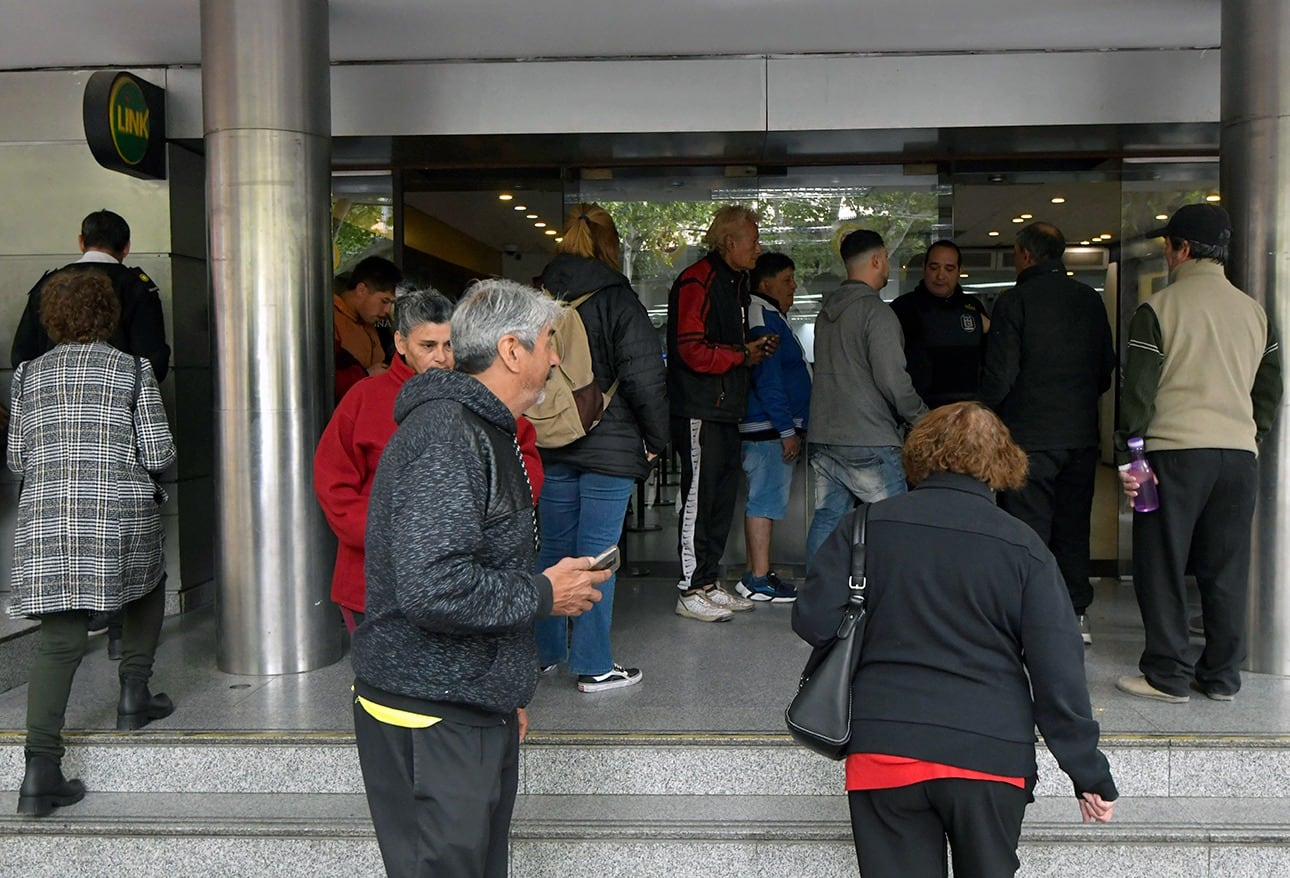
346 460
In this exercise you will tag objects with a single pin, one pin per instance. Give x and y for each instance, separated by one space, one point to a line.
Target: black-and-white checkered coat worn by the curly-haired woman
90 531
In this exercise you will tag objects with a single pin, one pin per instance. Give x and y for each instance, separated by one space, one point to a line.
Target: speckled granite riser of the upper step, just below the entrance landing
553 764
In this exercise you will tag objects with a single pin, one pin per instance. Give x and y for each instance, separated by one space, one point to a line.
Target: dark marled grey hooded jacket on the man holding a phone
452 595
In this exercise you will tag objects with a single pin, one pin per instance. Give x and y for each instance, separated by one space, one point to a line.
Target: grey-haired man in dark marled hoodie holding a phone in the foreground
446 658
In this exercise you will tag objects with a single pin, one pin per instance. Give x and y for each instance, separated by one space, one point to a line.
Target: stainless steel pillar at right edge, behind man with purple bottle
1256 179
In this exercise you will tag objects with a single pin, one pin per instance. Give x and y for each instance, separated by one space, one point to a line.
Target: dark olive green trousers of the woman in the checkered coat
63 647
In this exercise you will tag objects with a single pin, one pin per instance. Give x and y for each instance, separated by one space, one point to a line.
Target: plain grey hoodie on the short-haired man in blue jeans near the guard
862 394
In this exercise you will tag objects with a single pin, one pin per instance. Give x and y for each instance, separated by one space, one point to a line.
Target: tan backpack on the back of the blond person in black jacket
573 404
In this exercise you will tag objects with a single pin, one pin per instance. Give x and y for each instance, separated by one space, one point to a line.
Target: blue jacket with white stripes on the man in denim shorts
780 398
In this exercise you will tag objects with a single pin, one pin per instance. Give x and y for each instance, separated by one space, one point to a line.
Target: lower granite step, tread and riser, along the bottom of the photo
288 835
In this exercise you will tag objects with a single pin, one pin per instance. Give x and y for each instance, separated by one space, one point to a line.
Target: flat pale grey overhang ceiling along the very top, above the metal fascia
154 33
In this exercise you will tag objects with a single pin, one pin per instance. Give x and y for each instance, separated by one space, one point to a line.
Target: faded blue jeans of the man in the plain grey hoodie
846 475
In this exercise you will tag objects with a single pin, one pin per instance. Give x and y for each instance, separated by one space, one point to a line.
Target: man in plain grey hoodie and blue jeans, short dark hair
862 398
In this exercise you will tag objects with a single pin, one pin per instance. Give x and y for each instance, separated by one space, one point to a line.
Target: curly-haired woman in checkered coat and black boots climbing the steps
87 434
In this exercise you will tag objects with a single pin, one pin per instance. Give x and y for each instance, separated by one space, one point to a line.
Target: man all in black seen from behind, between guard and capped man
1048 363
